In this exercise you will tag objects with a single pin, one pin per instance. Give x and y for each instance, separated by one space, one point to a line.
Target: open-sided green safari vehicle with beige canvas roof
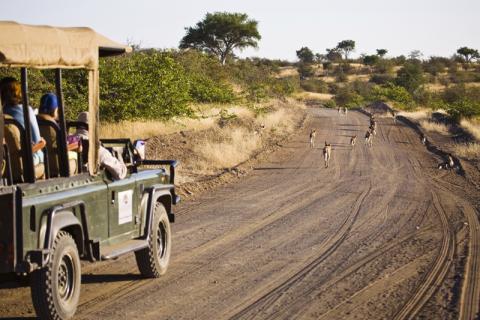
47 225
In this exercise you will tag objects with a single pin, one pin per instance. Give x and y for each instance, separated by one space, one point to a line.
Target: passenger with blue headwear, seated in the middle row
48 111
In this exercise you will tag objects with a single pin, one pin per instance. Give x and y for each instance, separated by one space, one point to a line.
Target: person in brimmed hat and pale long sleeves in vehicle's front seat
115 167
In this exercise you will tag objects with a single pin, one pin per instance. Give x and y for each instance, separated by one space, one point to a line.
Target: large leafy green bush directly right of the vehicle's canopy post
143 85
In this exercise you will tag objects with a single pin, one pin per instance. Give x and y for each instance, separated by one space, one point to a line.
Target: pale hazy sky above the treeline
435 27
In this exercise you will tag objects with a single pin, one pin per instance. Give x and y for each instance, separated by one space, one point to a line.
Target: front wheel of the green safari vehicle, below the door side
153 260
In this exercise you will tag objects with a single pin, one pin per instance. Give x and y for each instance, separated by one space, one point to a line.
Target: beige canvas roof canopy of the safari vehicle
53 47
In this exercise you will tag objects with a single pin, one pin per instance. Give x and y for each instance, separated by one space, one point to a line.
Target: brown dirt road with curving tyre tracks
380 234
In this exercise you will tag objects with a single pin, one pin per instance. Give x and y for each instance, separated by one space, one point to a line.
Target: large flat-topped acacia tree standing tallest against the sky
220 33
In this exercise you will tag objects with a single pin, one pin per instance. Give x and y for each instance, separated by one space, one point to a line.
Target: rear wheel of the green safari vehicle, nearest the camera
56 288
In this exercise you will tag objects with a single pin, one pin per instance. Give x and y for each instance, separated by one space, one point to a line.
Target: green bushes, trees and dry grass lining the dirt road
155 91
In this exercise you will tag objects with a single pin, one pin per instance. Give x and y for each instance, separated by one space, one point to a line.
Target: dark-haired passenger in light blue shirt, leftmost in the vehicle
11 95
